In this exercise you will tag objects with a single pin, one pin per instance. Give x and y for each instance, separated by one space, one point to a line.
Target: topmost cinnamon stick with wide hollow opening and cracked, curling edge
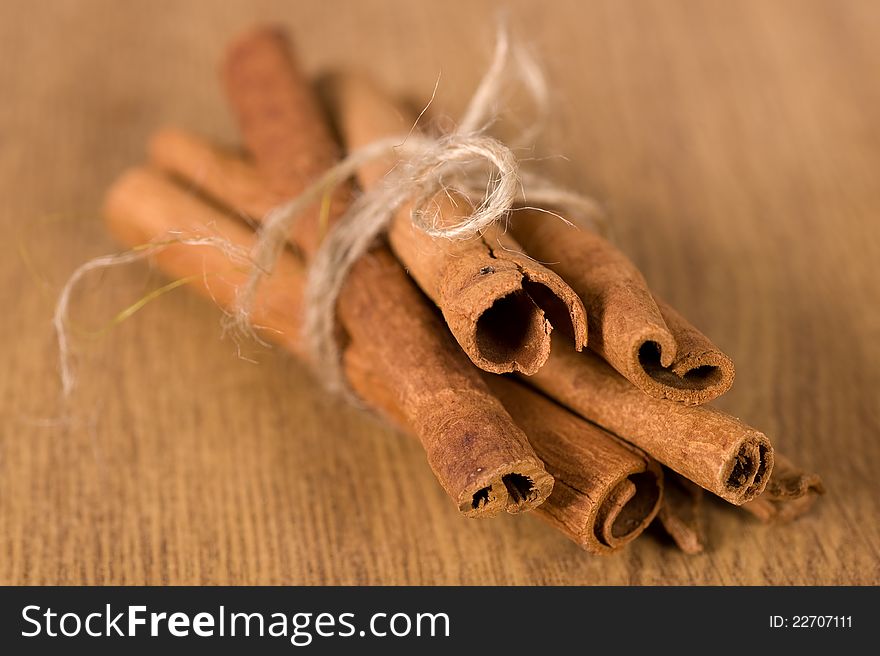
500 305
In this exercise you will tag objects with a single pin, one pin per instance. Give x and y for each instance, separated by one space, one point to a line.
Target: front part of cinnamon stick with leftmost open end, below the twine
474 447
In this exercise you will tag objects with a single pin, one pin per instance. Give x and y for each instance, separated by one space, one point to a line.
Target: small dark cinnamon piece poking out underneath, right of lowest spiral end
681 513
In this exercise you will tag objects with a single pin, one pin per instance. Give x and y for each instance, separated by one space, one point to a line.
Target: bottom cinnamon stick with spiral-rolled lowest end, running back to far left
609 491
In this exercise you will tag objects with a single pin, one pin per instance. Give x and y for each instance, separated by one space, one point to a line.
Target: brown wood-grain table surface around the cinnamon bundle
736 144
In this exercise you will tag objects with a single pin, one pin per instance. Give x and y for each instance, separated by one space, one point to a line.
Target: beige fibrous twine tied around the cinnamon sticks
455 161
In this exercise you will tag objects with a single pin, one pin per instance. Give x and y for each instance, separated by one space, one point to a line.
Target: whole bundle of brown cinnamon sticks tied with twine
568 390
